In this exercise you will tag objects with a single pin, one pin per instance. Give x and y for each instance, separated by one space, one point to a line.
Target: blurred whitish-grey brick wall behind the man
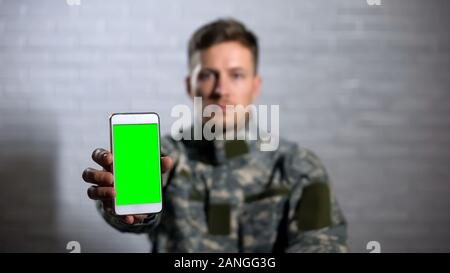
364 86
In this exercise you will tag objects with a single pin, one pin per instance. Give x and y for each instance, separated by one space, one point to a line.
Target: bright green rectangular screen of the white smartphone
136 163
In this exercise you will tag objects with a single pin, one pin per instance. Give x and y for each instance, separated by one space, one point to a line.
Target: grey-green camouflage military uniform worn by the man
228 196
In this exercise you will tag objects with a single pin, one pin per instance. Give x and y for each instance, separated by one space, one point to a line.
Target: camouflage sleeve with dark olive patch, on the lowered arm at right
315 221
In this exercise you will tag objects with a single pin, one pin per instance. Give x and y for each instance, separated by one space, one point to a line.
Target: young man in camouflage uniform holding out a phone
228 195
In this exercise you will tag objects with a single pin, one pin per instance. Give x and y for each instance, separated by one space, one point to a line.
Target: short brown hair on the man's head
223 30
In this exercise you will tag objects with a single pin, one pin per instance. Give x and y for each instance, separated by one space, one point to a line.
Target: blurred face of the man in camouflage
224 74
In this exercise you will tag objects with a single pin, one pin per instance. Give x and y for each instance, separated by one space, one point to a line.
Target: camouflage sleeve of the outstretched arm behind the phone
168 148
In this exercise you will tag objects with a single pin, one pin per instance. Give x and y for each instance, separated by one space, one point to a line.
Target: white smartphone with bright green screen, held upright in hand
135 146
